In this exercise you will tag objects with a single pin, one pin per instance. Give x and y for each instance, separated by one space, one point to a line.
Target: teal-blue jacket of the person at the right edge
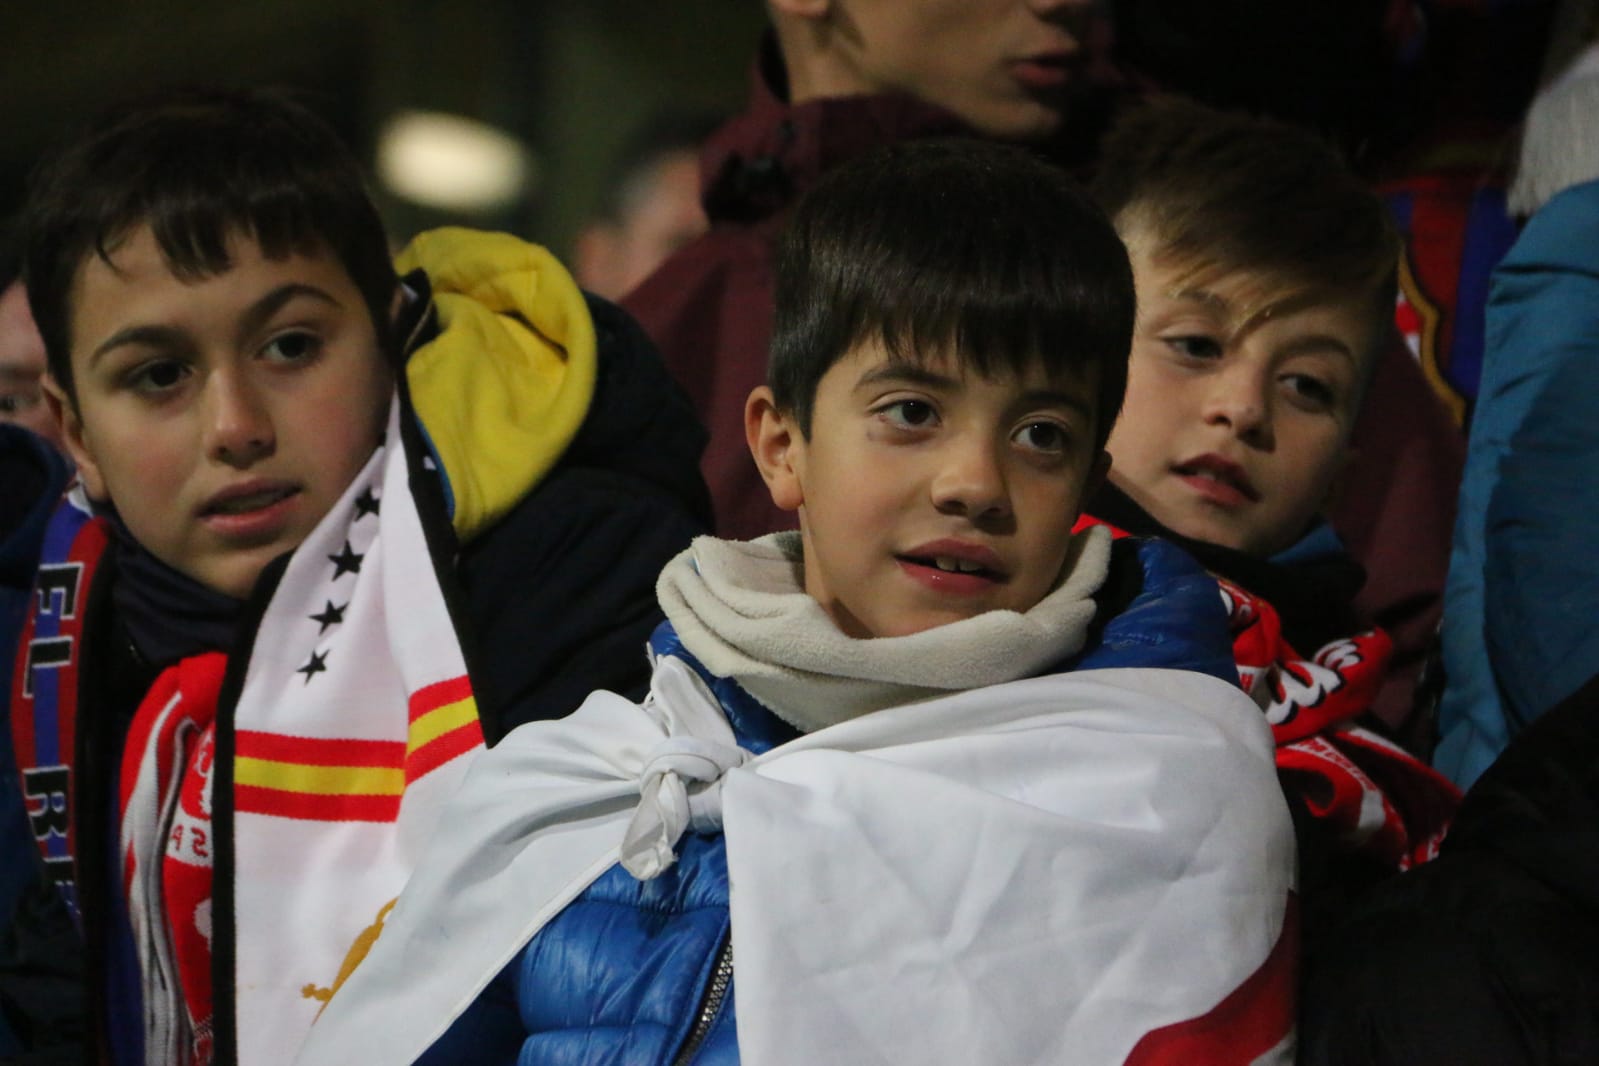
1528 496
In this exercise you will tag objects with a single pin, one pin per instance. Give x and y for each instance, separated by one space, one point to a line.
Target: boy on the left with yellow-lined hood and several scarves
321 552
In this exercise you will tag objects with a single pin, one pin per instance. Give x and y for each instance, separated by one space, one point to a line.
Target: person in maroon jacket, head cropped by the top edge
832 81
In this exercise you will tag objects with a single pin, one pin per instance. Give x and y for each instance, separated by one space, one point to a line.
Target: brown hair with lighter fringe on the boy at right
1221 193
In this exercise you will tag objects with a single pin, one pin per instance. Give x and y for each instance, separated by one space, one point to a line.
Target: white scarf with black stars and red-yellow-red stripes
354 725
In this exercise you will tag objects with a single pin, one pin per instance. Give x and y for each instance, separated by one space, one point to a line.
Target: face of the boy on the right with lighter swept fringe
1238 415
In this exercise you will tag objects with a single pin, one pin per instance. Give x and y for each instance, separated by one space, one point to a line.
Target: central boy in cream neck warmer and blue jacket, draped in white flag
927 781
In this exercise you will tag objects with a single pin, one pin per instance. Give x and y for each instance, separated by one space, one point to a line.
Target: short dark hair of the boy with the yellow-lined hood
199 165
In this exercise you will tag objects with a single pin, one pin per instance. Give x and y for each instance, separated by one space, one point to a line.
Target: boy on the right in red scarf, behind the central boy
1266 277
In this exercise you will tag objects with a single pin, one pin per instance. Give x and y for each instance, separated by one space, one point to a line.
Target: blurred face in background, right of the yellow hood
660 213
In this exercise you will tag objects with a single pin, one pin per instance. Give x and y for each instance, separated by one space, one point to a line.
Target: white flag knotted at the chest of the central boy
1080 869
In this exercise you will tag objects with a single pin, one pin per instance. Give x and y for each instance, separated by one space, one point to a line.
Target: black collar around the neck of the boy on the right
1312 592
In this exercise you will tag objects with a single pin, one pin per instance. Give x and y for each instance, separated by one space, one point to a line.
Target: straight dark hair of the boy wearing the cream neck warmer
959 245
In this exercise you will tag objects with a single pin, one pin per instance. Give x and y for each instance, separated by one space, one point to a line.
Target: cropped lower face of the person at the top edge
1007 68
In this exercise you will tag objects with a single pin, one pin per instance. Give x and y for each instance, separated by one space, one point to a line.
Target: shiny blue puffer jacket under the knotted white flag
640 971
